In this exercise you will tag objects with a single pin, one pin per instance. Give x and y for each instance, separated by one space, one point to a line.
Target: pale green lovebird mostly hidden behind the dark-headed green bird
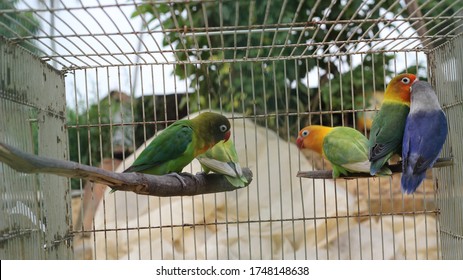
223 159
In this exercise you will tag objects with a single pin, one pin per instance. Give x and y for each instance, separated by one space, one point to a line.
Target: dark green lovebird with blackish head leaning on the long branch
181 142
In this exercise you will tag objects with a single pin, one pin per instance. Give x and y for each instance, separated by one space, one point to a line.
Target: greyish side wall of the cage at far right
446 70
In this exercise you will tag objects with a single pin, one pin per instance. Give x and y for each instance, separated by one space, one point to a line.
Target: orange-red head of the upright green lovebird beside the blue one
398 89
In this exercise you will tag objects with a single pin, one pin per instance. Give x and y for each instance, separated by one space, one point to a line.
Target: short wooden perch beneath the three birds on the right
395 168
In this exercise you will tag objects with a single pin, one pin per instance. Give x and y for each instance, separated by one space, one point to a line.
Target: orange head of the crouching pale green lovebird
311 137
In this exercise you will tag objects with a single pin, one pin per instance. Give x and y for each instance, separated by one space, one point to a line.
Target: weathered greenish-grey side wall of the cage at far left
35 219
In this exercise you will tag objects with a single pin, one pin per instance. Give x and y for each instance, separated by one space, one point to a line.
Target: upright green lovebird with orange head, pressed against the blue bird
388 125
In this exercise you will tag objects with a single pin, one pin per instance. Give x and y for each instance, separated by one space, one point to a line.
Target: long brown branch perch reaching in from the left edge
166 185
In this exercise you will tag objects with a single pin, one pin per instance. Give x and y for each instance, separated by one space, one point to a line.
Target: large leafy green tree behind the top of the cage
234 66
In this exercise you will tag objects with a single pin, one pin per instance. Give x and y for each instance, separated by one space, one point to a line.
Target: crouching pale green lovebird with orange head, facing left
344 147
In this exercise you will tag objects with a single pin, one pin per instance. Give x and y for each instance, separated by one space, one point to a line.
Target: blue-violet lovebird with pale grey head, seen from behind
424 135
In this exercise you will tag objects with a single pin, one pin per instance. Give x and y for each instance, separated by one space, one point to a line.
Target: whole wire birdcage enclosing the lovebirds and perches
94 81
